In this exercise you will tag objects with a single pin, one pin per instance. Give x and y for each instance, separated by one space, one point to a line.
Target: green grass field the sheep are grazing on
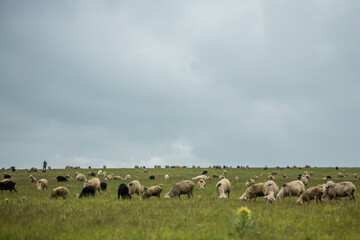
30 214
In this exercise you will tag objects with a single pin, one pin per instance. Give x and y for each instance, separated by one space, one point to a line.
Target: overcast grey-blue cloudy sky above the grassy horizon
179 82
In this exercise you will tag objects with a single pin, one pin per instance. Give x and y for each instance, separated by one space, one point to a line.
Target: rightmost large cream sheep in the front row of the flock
337 190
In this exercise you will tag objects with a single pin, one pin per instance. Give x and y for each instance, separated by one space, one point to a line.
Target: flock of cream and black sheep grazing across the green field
269 190
